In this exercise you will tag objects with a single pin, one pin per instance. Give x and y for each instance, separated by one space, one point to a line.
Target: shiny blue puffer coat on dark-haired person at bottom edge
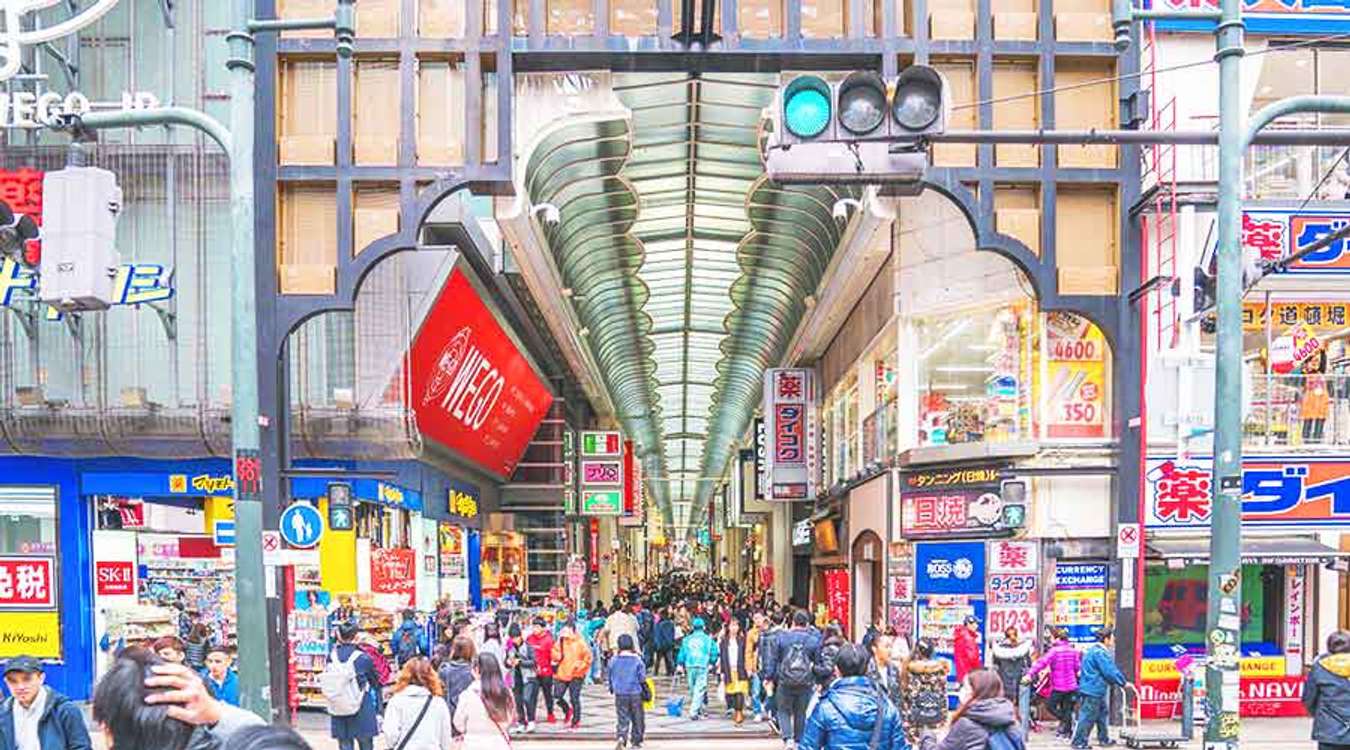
847 716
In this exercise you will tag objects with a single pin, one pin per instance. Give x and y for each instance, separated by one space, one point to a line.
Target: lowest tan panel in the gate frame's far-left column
307 231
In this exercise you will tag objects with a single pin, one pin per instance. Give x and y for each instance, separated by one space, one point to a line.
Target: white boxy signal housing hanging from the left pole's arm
79 238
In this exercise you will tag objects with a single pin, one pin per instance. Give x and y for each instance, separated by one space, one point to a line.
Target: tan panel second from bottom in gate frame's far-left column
308 113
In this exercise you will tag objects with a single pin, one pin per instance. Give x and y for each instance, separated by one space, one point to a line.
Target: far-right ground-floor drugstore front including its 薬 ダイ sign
1287 502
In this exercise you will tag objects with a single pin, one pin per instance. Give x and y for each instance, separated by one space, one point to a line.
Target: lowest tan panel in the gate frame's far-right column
1087 249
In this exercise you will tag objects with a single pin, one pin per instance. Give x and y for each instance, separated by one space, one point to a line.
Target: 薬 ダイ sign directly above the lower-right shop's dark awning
1278 492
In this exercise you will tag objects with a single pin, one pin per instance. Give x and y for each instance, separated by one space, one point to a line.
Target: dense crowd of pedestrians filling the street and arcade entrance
449 682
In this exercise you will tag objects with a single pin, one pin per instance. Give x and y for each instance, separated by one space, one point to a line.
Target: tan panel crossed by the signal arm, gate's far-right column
1083 105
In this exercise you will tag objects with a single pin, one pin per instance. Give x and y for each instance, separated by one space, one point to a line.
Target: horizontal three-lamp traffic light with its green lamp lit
858 129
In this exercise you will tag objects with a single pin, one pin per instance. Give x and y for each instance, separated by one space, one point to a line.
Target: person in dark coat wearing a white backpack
352 687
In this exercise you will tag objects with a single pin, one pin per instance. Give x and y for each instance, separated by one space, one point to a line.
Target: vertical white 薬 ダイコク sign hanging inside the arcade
792 453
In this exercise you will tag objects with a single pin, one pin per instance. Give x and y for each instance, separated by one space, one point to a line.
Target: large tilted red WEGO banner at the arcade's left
472 389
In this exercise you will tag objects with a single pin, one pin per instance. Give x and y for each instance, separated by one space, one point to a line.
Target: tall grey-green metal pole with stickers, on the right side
1225 597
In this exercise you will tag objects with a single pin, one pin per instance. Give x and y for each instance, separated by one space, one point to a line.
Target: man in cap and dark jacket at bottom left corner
37 717
